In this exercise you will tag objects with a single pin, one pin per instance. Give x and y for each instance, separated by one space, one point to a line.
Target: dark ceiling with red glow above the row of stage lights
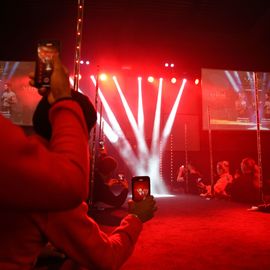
191 33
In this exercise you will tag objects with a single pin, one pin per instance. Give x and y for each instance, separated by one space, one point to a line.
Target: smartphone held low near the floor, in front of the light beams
140 187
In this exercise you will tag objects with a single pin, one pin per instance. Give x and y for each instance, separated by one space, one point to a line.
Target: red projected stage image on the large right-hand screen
229 97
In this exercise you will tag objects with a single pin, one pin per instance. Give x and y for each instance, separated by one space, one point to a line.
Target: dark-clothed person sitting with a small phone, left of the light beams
104 181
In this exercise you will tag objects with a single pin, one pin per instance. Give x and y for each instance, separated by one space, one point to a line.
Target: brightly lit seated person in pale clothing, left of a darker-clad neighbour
224 178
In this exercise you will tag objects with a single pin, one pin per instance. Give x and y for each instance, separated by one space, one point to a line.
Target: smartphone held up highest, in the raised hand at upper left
46 49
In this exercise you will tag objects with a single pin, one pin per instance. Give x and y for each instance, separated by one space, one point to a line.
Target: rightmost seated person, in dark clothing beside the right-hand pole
246 185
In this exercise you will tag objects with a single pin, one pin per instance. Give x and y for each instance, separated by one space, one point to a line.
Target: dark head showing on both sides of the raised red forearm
42 125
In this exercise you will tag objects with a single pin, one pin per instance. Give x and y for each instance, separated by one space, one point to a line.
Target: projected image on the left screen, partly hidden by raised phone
18 98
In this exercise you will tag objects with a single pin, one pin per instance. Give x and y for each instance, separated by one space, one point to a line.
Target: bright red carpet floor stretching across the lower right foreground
189 232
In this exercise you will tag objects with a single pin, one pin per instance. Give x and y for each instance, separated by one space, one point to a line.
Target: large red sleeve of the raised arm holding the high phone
35 177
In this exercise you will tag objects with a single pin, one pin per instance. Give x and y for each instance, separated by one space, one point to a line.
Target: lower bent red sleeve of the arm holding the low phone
79 237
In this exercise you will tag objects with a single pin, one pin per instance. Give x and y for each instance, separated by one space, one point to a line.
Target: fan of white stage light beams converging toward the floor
147 161
